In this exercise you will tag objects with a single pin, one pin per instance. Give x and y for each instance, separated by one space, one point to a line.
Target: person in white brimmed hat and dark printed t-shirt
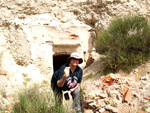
68 81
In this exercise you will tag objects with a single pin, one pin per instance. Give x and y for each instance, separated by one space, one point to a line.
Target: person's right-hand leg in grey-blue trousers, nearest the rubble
76 99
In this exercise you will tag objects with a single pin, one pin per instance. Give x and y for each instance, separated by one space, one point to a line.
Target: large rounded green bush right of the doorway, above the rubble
126 43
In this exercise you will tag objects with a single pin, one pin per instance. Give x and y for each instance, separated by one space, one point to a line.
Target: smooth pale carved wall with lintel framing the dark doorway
47 43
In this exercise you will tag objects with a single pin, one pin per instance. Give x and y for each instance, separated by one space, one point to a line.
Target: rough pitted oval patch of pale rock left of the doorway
18 45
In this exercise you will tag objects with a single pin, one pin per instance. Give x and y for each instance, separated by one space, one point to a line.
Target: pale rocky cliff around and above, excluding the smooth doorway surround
19 62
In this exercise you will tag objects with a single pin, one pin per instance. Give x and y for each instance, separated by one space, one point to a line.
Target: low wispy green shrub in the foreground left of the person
33 100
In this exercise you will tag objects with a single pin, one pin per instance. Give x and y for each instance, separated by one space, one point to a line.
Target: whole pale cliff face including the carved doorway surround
33 33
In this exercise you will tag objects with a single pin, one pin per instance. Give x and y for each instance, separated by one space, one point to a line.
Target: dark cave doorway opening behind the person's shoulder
59 60
